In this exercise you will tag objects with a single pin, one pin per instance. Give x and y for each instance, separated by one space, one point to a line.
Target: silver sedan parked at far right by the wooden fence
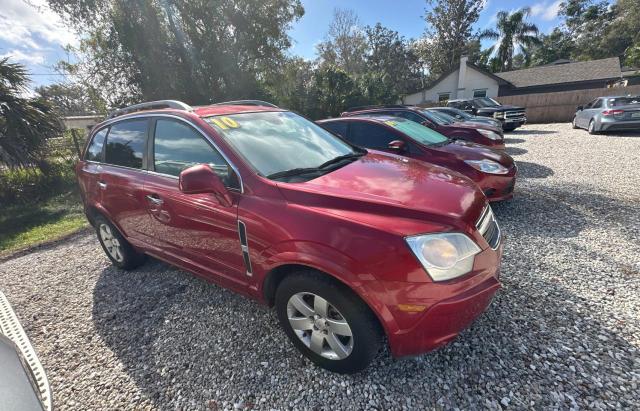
609 113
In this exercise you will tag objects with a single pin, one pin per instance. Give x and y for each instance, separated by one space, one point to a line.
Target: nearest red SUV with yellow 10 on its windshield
349 245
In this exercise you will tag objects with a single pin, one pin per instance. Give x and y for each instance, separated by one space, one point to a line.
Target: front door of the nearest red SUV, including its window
193 228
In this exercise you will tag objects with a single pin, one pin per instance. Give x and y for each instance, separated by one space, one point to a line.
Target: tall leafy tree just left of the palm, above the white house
449 25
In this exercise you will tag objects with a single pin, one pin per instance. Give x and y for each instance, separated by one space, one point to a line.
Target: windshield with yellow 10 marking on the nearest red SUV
277 142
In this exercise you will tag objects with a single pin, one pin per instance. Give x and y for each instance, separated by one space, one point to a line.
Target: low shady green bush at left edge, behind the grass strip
24 185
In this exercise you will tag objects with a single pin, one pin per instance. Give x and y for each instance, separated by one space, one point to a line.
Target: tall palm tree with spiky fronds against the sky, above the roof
512 31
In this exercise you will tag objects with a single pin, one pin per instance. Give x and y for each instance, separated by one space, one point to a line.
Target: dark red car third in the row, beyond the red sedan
483 134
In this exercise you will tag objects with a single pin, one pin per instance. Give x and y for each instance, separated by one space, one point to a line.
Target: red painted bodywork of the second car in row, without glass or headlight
497 187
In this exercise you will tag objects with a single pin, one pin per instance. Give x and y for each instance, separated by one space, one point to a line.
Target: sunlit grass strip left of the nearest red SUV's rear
26 225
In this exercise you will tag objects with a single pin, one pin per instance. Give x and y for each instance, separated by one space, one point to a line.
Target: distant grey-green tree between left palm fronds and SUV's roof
72 99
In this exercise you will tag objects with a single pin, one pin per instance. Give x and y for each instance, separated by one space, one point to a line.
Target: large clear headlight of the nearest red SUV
444 256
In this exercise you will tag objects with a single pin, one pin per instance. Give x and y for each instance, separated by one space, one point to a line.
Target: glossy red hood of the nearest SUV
385 184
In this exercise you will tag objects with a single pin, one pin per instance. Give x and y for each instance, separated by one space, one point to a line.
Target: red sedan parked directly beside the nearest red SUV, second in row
494 171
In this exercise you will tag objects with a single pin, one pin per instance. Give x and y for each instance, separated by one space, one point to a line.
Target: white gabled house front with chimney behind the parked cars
465 81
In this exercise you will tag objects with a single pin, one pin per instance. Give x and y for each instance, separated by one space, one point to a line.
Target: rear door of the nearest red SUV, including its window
122 175
